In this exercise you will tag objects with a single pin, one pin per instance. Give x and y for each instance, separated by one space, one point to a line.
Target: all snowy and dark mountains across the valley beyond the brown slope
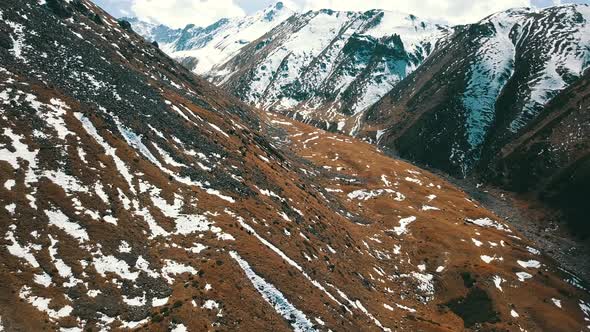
500 102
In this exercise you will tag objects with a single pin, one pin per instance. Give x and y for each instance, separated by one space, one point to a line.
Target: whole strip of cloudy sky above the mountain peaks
178 13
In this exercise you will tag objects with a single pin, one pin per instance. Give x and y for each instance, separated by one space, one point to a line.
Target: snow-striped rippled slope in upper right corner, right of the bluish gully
553 52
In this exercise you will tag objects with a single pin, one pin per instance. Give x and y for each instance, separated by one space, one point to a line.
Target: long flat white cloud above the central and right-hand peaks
451 11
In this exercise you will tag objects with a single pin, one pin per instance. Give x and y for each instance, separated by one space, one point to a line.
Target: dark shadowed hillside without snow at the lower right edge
551 157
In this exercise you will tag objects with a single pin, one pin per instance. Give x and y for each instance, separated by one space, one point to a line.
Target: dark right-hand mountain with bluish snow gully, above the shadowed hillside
487 83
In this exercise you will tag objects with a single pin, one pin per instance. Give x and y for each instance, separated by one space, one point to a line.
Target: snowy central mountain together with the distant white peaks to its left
321 66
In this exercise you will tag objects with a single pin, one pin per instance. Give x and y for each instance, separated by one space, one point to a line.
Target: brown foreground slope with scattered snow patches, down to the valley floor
134 195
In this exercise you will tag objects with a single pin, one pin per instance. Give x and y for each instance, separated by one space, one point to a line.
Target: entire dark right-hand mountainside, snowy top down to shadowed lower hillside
473 102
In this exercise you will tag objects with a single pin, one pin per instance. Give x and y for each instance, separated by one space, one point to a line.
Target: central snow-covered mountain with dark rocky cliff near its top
362 81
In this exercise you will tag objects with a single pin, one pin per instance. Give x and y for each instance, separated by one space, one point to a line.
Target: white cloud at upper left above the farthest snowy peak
178 13
